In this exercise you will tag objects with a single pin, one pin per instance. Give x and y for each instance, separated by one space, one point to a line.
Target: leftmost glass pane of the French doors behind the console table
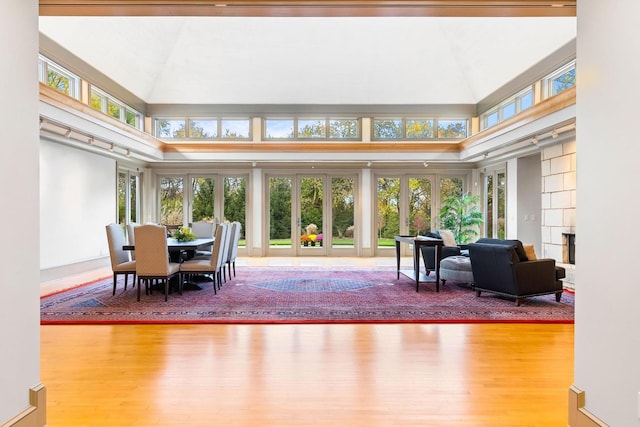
388 215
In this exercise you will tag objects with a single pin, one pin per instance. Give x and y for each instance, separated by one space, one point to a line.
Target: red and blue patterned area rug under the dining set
300 295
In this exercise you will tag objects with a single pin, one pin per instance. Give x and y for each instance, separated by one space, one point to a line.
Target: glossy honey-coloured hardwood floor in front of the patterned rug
308 375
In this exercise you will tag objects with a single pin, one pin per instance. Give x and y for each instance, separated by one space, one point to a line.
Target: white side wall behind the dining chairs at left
77 200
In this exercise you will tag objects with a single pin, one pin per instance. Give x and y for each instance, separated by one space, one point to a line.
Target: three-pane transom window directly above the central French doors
311 128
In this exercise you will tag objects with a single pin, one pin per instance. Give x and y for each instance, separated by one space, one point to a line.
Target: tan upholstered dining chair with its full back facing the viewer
153 258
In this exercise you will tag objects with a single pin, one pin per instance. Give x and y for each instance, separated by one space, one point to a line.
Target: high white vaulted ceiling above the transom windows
283 60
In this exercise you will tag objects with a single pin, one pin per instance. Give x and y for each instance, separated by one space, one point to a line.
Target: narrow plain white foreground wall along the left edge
19 283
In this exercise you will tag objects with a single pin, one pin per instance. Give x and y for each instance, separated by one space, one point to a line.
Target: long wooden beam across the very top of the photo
300 8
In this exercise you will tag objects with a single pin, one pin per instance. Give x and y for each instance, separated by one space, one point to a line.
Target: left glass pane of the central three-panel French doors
280 211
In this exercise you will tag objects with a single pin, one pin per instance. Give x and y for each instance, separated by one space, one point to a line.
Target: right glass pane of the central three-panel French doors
343 212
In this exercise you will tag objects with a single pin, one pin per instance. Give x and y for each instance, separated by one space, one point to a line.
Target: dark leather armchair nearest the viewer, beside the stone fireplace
502 267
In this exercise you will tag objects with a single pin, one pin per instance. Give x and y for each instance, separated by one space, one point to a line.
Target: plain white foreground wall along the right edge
607 341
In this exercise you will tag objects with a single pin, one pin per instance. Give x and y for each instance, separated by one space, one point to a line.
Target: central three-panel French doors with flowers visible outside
310 215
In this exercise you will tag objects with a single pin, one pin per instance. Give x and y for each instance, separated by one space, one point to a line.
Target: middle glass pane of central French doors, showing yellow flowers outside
311 202
